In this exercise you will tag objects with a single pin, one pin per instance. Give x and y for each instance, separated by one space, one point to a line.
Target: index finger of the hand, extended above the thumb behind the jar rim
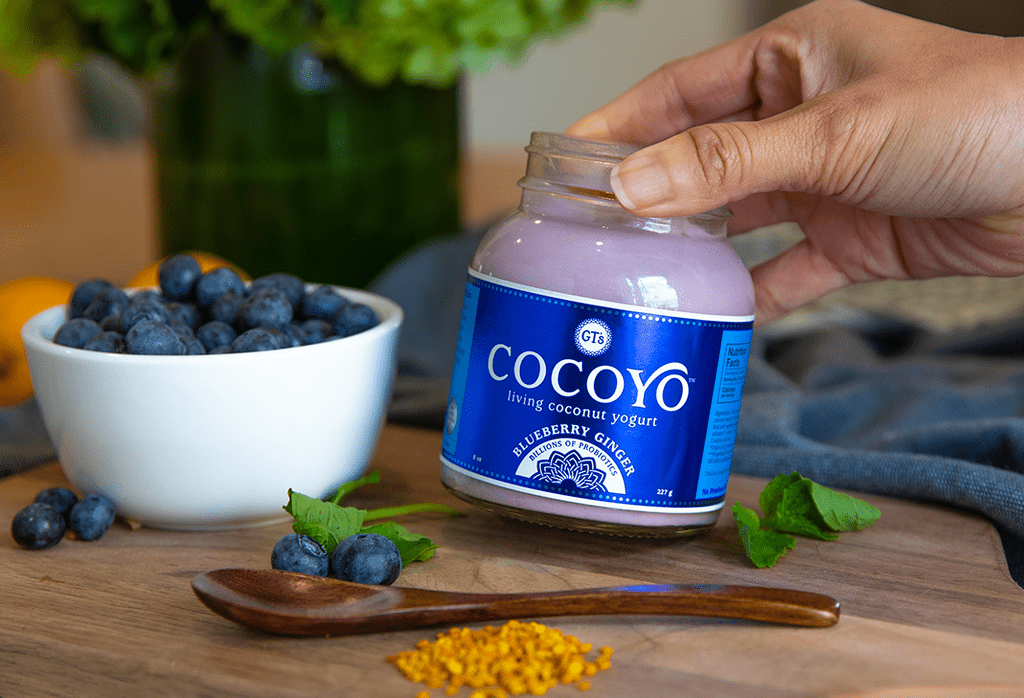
717 84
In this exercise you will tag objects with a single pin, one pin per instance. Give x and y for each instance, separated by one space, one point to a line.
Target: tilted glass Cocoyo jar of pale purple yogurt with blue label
602 358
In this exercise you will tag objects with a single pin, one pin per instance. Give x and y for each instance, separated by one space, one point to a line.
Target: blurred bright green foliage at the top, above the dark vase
418 41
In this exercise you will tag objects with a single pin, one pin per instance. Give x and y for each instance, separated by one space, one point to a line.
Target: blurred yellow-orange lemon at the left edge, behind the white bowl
20 300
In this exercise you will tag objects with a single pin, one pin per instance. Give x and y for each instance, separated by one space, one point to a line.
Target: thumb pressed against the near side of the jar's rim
714 164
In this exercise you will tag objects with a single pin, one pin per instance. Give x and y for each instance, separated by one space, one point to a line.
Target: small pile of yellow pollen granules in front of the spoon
516 660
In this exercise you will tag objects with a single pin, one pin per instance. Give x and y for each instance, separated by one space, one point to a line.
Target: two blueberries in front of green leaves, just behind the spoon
364 558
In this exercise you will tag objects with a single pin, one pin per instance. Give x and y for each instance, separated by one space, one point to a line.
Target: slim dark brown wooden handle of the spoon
762 604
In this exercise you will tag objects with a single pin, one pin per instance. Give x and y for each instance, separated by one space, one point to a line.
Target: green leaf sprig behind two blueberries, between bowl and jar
329 523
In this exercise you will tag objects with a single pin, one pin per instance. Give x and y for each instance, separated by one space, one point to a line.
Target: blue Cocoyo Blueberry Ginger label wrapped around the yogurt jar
594 403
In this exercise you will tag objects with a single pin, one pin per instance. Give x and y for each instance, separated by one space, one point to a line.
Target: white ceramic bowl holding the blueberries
209 443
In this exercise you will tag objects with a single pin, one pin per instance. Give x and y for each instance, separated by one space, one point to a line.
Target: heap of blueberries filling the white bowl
214 313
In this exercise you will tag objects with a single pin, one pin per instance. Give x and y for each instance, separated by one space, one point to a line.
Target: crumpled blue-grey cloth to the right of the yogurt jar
895 411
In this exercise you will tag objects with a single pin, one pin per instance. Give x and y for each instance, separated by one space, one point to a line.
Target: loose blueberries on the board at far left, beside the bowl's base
57 511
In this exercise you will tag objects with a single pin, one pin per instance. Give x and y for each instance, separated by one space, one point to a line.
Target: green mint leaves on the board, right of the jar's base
793 504
